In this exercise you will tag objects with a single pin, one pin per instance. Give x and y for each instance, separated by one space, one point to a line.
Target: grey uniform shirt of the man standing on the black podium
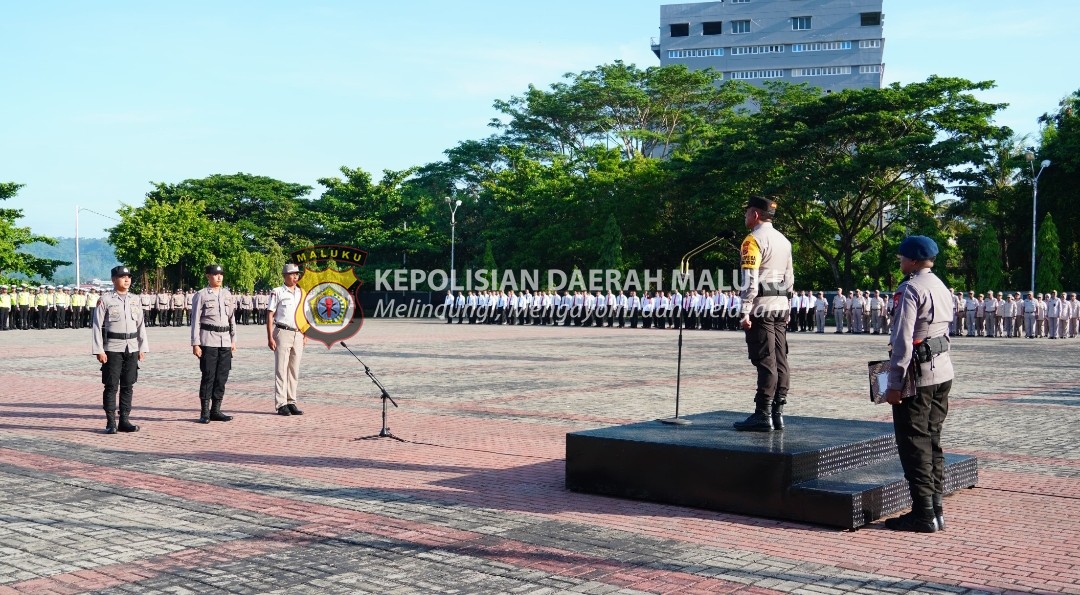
766 260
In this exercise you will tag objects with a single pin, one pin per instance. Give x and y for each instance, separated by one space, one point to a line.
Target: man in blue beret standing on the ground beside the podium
920 346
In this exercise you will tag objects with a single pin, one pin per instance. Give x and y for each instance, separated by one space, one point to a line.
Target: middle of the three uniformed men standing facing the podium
213 342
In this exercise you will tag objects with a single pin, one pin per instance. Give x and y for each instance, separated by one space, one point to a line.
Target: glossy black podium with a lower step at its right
843 474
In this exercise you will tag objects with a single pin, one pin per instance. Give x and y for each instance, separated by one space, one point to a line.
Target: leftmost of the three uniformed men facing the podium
119 343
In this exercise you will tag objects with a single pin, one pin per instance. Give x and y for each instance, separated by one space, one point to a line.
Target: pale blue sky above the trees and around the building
100 99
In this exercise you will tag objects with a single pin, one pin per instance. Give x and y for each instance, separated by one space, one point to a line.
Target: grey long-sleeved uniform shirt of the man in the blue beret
925 310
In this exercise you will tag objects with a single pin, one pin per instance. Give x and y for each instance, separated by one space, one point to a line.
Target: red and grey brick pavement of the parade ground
475 502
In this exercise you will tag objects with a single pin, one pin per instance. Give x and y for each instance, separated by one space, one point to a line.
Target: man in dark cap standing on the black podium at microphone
768 278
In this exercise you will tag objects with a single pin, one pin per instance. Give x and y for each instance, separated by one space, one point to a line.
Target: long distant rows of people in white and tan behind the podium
992 315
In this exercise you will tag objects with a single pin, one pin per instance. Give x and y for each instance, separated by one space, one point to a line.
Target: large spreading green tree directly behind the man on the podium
847 166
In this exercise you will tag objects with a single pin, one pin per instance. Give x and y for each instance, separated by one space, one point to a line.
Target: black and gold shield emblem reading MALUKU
331 309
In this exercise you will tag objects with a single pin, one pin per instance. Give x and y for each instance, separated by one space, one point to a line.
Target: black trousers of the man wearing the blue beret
917 423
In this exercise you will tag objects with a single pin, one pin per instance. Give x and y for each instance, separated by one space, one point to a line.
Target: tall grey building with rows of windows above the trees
834 45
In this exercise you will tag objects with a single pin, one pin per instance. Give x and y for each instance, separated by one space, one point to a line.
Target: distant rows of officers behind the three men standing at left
24 308
